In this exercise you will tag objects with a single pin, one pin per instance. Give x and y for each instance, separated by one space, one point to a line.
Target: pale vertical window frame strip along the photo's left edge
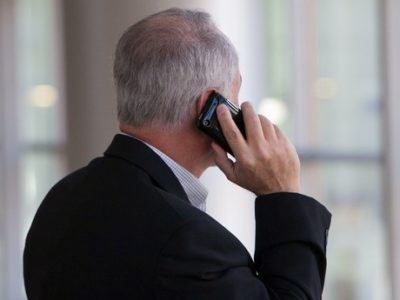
9 154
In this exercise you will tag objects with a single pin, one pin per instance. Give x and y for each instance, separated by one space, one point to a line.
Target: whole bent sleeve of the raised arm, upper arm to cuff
202 260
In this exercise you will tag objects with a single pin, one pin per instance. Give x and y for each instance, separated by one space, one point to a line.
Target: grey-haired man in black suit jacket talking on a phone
130 225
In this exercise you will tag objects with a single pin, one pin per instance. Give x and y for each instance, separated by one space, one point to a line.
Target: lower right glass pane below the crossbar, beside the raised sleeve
357 266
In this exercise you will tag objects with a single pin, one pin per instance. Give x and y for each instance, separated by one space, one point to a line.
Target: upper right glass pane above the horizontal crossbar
348 88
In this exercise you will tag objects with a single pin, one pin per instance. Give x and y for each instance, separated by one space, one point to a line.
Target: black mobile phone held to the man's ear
208 121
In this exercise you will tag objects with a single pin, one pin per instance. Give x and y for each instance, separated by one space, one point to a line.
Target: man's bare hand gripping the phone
266 162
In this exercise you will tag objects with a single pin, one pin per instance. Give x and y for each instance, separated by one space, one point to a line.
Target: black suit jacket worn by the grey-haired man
122 228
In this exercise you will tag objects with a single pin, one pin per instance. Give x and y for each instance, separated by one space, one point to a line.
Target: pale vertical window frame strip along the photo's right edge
391 74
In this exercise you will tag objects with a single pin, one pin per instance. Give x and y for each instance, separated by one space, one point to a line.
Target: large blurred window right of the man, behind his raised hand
325 66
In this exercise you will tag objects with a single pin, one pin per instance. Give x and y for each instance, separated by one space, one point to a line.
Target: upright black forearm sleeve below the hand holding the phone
291 239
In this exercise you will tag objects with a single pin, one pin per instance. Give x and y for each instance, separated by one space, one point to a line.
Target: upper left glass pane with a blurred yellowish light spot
37 70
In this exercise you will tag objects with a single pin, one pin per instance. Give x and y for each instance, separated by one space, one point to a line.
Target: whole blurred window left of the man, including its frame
31 124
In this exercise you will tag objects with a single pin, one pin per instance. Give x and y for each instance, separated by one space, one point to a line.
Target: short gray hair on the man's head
164 62
